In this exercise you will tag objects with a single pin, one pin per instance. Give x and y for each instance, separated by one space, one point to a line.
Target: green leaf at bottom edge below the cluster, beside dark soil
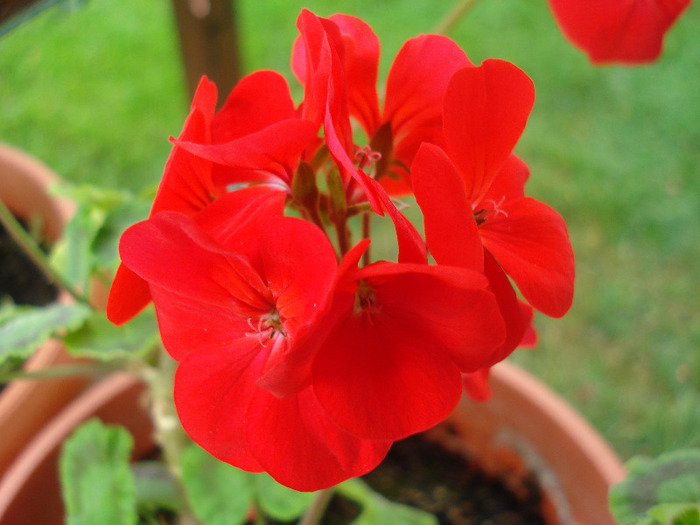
378 509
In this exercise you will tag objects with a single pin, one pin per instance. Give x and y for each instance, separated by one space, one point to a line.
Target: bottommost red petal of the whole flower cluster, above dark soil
299 445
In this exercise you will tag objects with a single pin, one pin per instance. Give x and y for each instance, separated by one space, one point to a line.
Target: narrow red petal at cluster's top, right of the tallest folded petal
361 63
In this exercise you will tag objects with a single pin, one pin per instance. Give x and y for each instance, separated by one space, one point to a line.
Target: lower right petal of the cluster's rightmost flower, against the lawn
530 241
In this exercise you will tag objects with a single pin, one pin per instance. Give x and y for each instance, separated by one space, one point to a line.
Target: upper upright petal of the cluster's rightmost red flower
486 109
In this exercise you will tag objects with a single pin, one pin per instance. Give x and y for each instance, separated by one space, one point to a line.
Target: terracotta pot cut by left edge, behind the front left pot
26 405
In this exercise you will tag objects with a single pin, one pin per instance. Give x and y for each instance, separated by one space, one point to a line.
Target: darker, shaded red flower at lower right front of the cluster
396 339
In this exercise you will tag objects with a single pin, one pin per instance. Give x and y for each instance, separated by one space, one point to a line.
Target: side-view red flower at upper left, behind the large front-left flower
253 138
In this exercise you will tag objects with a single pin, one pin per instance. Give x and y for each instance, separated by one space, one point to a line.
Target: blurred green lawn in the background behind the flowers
95 93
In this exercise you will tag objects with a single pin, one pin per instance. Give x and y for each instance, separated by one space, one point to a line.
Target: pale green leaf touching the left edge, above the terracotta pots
23 329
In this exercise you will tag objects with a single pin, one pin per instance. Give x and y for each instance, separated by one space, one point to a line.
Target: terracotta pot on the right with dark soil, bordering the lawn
527 428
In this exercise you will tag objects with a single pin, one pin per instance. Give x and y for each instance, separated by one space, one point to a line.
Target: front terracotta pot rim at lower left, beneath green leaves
30 489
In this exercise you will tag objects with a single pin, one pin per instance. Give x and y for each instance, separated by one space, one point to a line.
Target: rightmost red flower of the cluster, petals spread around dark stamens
472 193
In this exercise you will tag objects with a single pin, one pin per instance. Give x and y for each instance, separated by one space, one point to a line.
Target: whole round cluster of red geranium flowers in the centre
297 355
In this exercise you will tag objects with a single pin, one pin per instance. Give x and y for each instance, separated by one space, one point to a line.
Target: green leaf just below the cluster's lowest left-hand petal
100 339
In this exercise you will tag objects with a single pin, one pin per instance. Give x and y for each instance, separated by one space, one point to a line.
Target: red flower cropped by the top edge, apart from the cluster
625 31
